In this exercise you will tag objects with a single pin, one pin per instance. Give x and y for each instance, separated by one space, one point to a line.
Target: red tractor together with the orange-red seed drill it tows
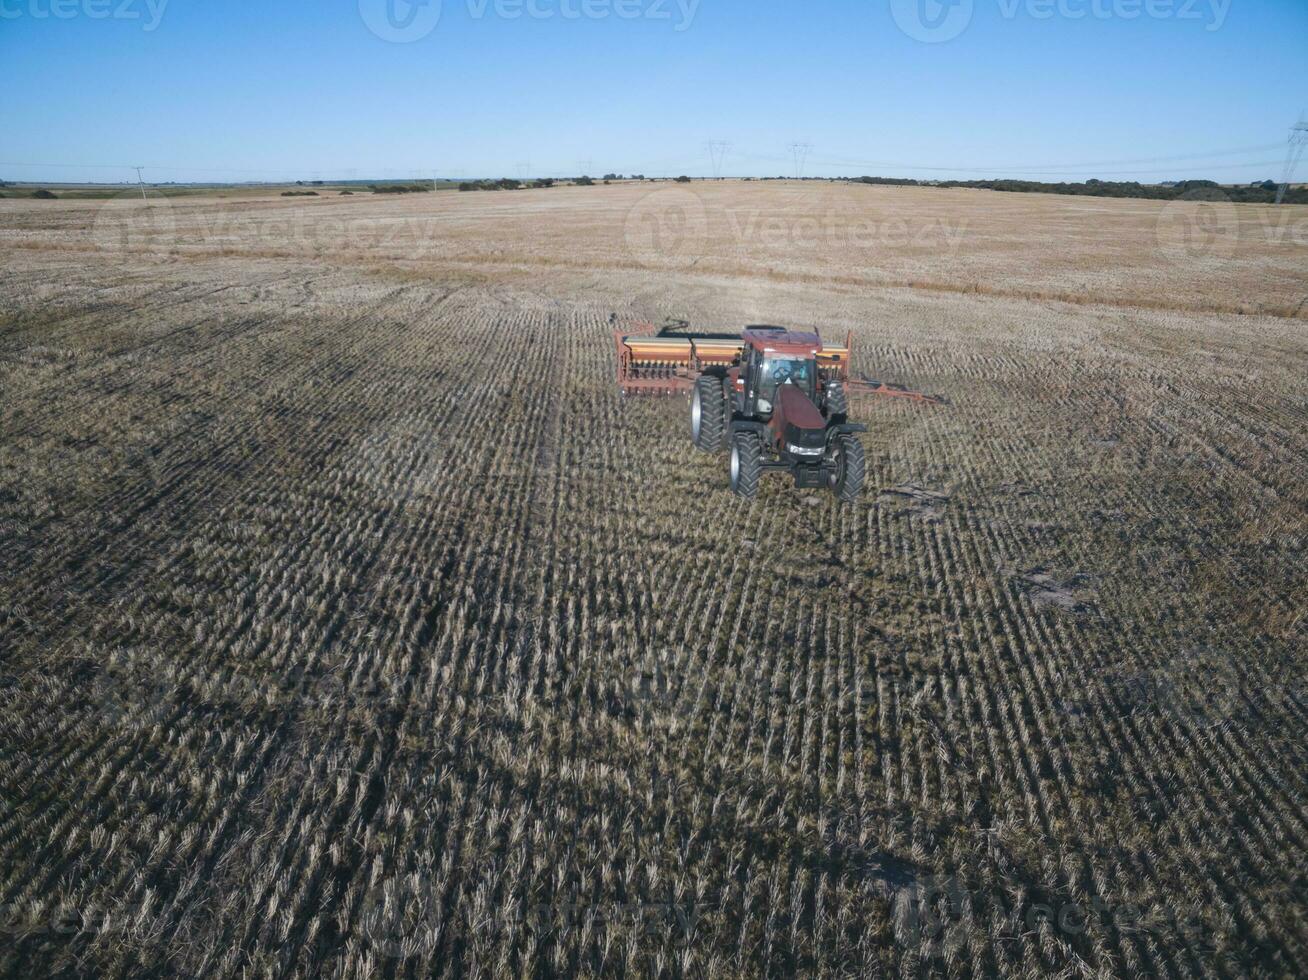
775 398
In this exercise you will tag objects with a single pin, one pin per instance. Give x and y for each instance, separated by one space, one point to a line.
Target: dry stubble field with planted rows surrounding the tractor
351 622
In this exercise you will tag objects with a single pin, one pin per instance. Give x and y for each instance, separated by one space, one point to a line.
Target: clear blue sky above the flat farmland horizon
1050 90
